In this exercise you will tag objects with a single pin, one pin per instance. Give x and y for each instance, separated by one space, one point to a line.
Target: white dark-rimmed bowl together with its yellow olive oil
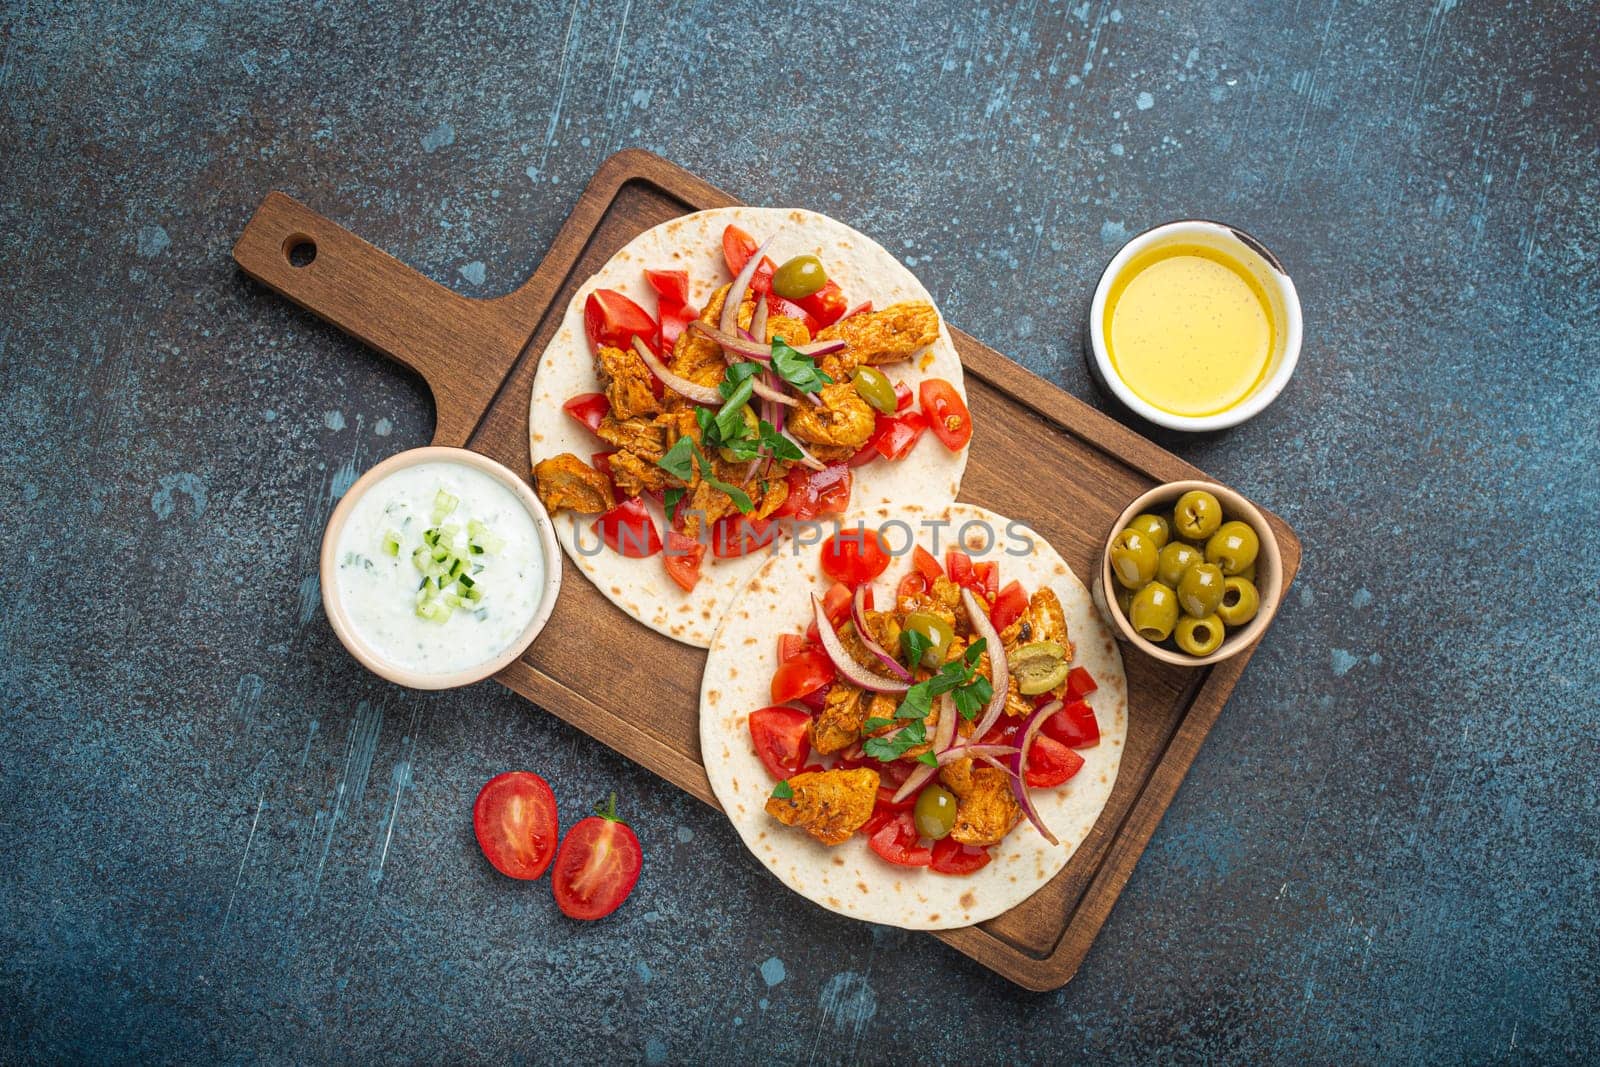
1194 327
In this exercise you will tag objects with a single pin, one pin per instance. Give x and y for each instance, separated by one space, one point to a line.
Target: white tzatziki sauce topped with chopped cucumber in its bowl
423 620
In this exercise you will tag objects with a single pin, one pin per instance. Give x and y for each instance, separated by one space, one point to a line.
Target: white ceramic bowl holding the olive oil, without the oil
1255 258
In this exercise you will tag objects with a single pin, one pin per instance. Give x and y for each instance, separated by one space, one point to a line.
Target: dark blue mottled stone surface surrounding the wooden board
223 841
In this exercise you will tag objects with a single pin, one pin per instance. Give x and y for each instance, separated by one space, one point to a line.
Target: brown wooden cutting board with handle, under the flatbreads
1038 455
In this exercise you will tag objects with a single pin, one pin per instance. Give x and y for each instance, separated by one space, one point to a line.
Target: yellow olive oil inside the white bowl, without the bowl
1190 329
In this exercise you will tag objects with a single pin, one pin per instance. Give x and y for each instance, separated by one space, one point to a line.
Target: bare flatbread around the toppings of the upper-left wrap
929 474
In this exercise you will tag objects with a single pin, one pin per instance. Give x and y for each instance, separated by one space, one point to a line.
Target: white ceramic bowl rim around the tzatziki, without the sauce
330 583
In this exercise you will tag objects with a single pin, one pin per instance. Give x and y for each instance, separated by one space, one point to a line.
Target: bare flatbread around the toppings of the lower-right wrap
850 879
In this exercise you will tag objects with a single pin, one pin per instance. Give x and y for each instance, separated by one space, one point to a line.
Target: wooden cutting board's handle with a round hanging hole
463 348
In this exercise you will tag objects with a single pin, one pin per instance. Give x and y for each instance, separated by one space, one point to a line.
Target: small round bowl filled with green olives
1191 573
